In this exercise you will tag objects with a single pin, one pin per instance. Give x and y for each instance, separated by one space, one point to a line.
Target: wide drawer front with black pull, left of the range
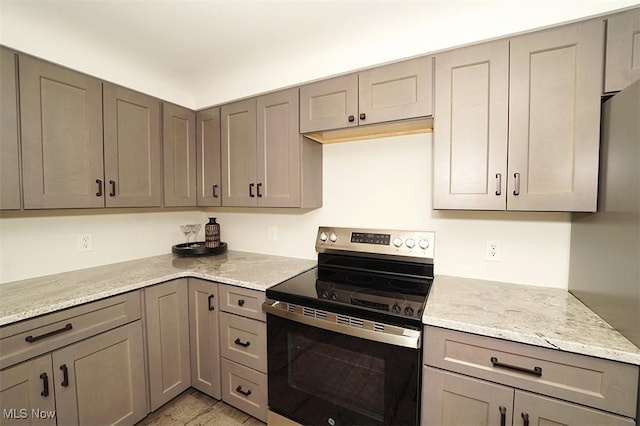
36 336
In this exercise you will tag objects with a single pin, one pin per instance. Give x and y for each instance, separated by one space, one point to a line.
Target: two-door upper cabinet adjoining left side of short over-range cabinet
265 161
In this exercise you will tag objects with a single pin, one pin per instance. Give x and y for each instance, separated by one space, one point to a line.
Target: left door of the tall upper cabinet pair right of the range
470 131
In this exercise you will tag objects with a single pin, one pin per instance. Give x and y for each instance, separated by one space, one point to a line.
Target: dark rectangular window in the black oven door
356 381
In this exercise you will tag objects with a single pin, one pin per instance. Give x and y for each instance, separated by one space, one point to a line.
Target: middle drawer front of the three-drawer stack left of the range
244 341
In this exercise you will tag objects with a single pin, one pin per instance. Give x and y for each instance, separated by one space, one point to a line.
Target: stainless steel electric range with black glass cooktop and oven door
344 339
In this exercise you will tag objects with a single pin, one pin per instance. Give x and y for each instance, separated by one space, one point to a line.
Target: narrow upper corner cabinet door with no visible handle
179 152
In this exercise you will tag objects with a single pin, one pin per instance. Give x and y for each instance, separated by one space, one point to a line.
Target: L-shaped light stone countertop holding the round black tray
29 298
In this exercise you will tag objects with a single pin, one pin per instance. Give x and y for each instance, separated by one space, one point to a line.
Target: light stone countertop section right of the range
547 317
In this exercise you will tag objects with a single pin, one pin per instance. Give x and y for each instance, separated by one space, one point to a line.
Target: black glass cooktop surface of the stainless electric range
361 288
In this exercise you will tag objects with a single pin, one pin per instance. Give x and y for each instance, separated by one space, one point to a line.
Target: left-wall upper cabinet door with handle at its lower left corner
131 148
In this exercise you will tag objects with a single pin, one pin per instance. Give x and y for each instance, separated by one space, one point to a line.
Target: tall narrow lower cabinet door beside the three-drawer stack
203 330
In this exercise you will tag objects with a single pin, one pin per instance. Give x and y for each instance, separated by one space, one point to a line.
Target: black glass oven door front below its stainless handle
325 377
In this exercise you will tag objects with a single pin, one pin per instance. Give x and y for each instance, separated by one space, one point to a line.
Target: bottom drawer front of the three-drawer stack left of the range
245 389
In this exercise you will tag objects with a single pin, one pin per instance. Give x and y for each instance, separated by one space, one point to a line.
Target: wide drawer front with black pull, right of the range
594 382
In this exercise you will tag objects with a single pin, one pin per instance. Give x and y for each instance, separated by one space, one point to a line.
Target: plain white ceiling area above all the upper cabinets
201 52
